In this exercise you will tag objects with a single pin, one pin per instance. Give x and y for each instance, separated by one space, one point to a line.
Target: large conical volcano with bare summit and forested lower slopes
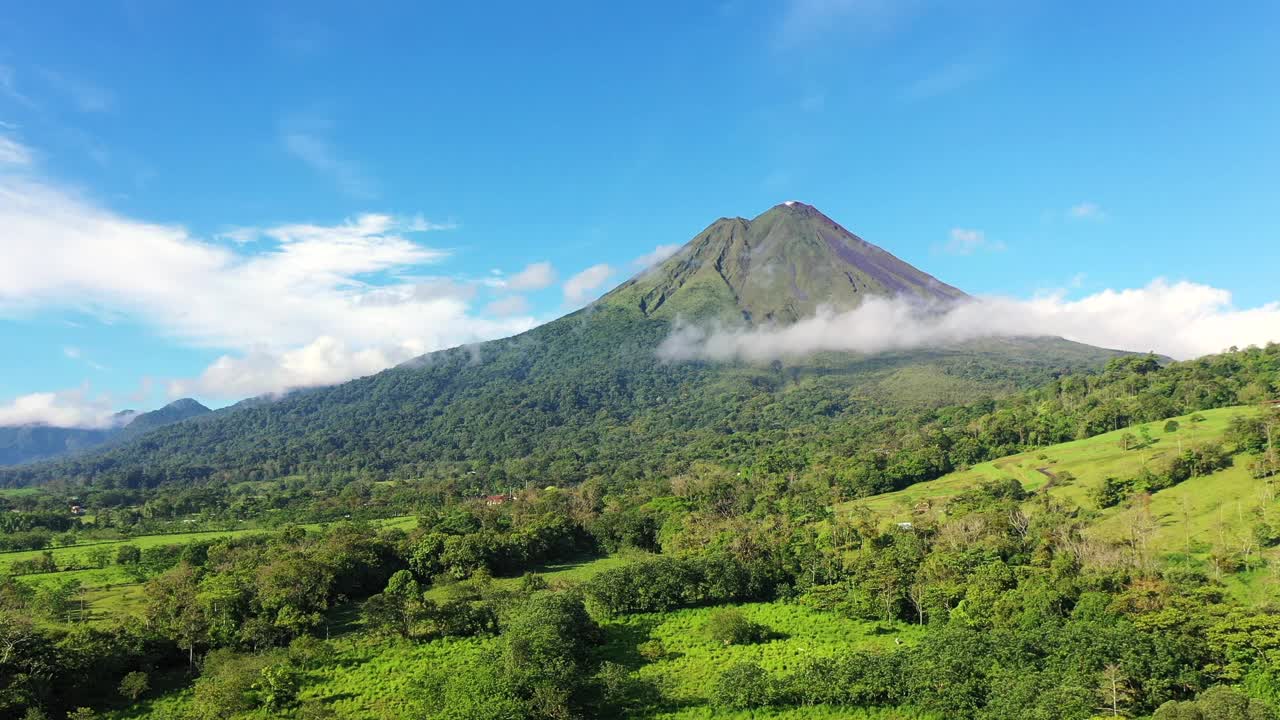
587 395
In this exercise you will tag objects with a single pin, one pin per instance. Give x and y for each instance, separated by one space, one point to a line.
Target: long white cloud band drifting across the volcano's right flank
1181 320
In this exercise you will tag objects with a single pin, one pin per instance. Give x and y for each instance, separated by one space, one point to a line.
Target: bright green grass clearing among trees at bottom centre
694 662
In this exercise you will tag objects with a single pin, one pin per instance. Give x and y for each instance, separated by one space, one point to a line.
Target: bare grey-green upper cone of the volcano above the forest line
776 268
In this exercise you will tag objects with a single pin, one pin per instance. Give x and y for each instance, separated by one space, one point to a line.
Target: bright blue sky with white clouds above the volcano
228 199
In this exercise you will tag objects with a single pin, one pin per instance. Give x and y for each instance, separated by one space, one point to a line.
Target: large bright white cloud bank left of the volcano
301 285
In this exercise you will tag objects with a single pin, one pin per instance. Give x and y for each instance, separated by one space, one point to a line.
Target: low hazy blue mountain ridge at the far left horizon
28 444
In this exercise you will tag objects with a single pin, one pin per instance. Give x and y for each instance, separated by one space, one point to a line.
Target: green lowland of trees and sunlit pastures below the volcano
767 569
